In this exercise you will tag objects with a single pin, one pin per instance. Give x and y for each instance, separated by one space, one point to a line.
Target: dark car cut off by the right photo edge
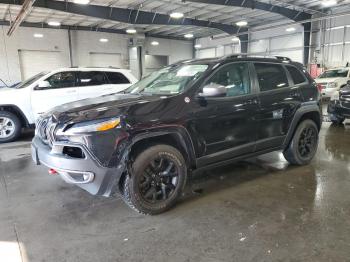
339 107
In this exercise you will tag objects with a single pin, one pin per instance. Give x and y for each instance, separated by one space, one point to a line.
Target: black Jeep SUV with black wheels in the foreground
188 116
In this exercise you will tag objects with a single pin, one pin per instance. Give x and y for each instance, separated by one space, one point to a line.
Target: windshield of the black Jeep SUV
170 80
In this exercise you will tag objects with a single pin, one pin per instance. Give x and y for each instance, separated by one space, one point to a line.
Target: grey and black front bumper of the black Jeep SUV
84 172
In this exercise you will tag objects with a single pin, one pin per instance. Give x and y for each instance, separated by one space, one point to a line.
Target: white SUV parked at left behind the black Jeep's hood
22 104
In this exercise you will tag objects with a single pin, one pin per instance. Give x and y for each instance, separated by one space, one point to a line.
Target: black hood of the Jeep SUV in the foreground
98 108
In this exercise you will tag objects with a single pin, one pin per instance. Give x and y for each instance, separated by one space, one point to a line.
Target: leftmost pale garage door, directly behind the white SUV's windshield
34 62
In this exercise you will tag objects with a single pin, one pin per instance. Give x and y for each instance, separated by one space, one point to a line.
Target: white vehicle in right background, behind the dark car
333 80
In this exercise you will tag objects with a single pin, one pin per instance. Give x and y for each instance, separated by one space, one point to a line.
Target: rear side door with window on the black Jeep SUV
279 99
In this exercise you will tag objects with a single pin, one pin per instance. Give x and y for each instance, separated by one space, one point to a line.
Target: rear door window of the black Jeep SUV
271 76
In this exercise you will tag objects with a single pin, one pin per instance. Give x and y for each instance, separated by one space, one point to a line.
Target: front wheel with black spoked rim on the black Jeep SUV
156 180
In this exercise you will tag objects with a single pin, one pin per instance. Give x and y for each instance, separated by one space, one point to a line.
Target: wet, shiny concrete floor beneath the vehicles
258 210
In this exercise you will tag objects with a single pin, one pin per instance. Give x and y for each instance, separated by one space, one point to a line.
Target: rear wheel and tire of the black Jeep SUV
303 146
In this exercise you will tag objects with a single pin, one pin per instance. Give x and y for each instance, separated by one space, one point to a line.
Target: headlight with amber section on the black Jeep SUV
93 126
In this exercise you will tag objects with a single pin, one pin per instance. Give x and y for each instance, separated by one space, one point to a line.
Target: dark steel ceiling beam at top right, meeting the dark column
292 14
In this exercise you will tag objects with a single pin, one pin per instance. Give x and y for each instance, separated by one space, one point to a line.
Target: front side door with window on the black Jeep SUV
226 126
